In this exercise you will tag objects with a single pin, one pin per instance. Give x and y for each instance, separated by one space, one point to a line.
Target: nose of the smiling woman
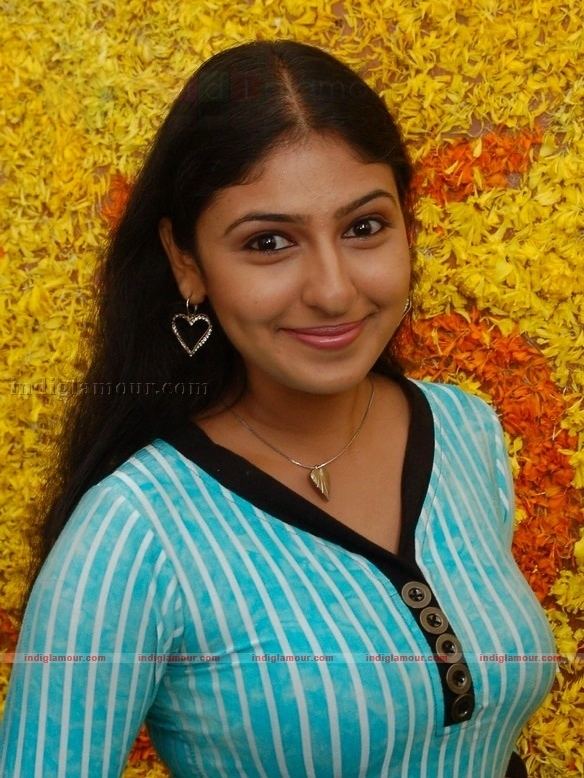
327 282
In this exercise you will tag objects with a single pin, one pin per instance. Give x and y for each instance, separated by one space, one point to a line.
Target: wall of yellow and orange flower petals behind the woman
490 96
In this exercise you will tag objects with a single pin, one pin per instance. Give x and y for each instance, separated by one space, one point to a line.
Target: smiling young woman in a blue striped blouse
291 558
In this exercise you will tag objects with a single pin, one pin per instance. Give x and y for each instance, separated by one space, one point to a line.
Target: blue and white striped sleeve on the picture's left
105 598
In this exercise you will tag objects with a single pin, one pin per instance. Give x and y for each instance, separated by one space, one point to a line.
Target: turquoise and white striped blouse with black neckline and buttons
258 636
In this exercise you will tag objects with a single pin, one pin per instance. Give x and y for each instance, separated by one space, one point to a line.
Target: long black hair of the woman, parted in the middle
237 107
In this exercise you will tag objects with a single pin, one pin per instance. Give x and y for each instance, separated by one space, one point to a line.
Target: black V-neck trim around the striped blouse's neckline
272 496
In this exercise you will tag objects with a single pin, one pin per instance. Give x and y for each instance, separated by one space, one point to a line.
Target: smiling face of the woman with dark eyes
296 251
